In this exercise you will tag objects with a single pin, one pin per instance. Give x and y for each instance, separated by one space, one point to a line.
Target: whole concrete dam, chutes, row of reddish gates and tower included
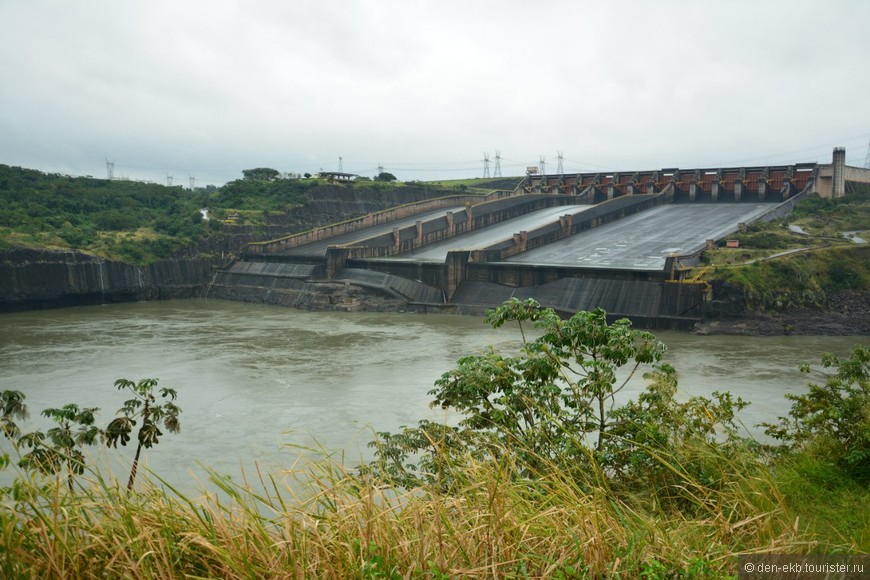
623 242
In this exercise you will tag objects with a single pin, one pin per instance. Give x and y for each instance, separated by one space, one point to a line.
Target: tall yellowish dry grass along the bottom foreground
492 524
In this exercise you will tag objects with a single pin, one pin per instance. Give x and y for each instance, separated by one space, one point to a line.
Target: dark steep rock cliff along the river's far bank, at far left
33 279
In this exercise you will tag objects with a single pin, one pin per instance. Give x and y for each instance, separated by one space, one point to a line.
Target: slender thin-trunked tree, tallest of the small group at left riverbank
143 405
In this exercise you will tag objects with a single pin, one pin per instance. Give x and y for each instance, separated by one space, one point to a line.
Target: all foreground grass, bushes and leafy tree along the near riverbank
542 476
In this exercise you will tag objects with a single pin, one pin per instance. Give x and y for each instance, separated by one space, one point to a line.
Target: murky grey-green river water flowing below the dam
257 383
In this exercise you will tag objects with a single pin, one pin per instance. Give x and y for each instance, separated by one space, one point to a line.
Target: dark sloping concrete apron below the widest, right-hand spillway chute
651 302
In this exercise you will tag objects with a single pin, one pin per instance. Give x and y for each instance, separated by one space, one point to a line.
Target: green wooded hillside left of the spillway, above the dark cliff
140 223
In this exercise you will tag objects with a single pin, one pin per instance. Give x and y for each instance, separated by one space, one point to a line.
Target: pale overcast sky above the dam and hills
426 89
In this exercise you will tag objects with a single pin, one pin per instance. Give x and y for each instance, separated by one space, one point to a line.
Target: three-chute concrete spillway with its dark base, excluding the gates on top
617 254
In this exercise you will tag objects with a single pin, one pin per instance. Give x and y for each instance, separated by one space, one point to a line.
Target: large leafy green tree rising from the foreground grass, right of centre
542 404
